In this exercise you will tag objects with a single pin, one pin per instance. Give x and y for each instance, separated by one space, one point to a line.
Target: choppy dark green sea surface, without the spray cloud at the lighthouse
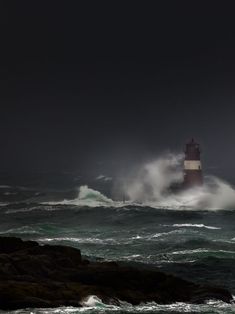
194 244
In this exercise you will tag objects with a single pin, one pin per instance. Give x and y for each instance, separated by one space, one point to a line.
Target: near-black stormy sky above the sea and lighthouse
107 84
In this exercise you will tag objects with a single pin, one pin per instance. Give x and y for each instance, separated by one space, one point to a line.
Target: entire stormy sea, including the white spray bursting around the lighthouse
137 219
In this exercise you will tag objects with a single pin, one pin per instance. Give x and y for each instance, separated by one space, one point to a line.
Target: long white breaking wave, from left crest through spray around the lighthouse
153 184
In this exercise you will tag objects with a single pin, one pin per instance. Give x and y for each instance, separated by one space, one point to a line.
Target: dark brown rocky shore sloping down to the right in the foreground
33 275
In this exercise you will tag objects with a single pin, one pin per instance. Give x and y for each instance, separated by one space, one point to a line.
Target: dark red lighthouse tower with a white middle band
192 165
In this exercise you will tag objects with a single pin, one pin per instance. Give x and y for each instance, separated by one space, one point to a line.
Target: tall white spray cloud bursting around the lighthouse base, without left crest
152 185
